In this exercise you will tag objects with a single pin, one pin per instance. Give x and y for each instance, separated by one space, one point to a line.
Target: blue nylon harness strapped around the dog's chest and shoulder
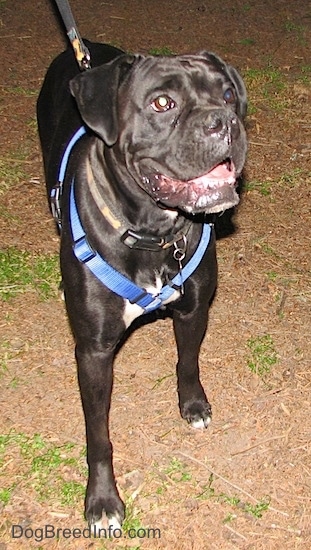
103 271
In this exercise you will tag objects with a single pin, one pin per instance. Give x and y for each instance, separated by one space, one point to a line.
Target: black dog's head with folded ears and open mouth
175 123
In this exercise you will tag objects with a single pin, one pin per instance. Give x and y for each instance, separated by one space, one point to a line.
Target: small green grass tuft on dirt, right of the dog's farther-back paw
262 354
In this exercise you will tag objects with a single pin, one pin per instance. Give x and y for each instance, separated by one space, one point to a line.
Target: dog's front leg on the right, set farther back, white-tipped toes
189 331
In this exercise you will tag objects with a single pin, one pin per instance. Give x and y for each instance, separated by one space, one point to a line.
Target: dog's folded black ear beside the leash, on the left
96 93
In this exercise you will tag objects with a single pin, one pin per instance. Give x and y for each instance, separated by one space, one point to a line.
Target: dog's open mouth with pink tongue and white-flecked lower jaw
212 192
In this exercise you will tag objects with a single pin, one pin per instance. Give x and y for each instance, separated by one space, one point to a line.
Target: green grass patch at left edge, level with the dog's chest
22 272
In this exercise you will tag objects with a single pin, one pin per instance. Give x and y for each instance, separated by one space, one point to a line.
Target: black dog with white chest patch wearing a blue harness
145 148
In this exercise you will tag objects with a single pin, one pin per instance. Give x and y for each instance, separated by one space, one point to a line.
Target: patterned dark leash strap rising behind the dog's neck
82 53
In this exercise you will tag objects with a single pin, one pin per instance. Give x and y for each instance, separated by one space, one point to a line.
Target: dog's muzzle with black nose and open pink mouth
215 140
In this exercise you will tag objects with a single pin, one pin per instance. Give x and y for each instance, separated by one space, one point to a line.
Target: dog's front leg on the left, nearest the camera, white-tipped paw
102 497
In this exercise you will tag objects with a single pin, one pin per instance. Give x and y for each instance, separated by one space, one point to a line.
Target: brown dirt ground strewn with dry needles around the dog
246 481
